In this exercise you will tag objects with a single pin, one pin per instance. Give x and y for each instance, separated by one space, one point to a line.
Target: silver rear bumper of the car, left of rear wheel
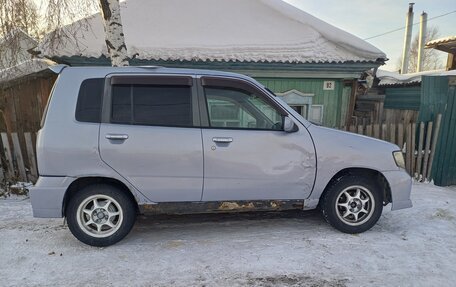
47 196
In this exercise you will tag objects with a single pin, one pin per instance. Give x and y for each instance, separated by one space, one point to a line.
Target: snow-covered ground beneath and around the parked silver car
411 247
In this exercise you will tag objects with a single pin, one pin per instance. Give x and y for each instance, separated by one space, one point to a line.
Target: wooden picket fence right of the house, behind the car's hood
417 141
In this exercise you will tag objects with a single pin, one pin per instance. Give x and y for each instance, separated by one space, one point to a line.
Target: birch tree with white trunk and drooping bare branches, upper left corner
24 14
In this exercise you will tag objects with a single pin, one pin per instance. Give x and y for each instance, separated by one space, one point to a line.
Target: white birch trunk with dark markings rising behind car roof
115 41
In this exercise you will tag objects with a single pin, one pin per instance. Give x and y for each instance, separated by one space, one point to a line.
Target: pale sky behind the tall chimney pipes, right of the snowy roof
365 18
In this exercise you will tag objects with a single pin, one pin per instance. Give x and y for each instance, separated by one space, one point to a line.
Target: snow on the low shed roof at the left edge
23 69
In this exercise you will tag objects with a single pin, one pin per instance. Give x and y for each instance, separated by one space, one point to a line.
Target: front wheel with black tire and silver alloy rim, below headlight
341 217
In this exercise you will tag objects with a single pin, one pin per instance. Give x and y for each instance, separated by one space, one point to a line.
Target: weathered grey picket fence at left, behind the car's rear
18 160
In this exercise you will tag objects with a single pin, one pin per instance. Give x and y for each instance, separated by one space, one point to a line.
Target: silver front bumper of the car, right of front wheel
401 186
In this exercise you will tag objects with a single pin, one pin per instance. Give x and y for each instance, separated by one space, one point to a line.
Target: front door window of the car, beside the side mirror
234 108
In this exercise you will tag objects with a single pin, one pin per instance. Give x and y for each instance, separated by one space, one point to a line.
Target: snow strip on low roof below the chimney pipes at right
388 78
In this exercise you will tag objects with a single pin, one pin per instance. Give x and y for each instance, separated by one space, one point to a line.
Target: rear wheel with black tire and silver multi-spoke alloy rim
121 204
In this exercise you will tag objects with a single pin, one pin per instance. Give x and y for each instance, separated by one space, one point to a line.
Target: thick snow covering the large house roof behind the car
222 30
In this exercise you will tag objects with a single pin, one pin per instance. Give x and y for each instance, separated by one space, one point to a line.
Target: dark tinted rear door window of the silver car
152 105
